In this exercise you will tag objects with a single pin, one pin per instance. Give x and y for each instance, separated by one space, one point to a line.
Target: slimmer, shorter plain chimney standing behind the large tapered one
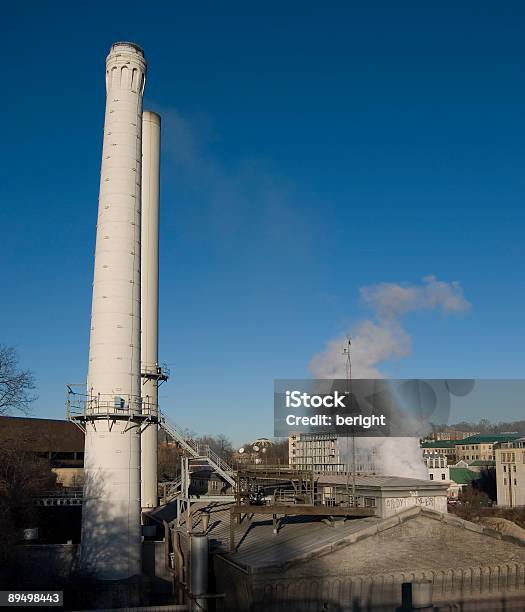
150 301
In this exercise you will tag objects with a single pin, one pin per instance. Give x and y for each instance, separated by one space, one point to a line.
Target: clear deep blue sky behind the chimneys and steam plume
308 151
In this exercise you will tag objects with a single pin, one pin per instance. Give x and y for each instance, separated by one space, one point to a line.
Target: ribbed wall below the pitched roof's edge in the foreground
484 589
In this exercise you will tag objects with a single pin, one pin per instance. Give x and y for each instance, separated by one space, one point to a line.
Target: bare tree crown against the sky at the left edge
16 385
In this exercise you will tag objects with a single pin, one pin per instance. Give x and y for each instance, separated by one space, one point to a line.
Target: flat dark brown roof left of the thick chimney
40 435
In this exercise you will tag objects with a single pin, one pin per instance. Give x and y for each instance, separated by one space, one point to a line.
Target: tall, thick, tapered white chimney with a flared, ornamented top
111 530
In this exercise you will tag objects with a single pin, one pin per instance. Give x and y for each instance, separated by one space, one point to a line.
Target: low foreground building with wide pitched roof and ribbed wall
358 564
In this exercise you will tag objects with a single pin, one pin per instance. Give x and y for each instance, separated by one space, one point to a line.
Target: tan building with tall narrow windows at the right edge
510 473
